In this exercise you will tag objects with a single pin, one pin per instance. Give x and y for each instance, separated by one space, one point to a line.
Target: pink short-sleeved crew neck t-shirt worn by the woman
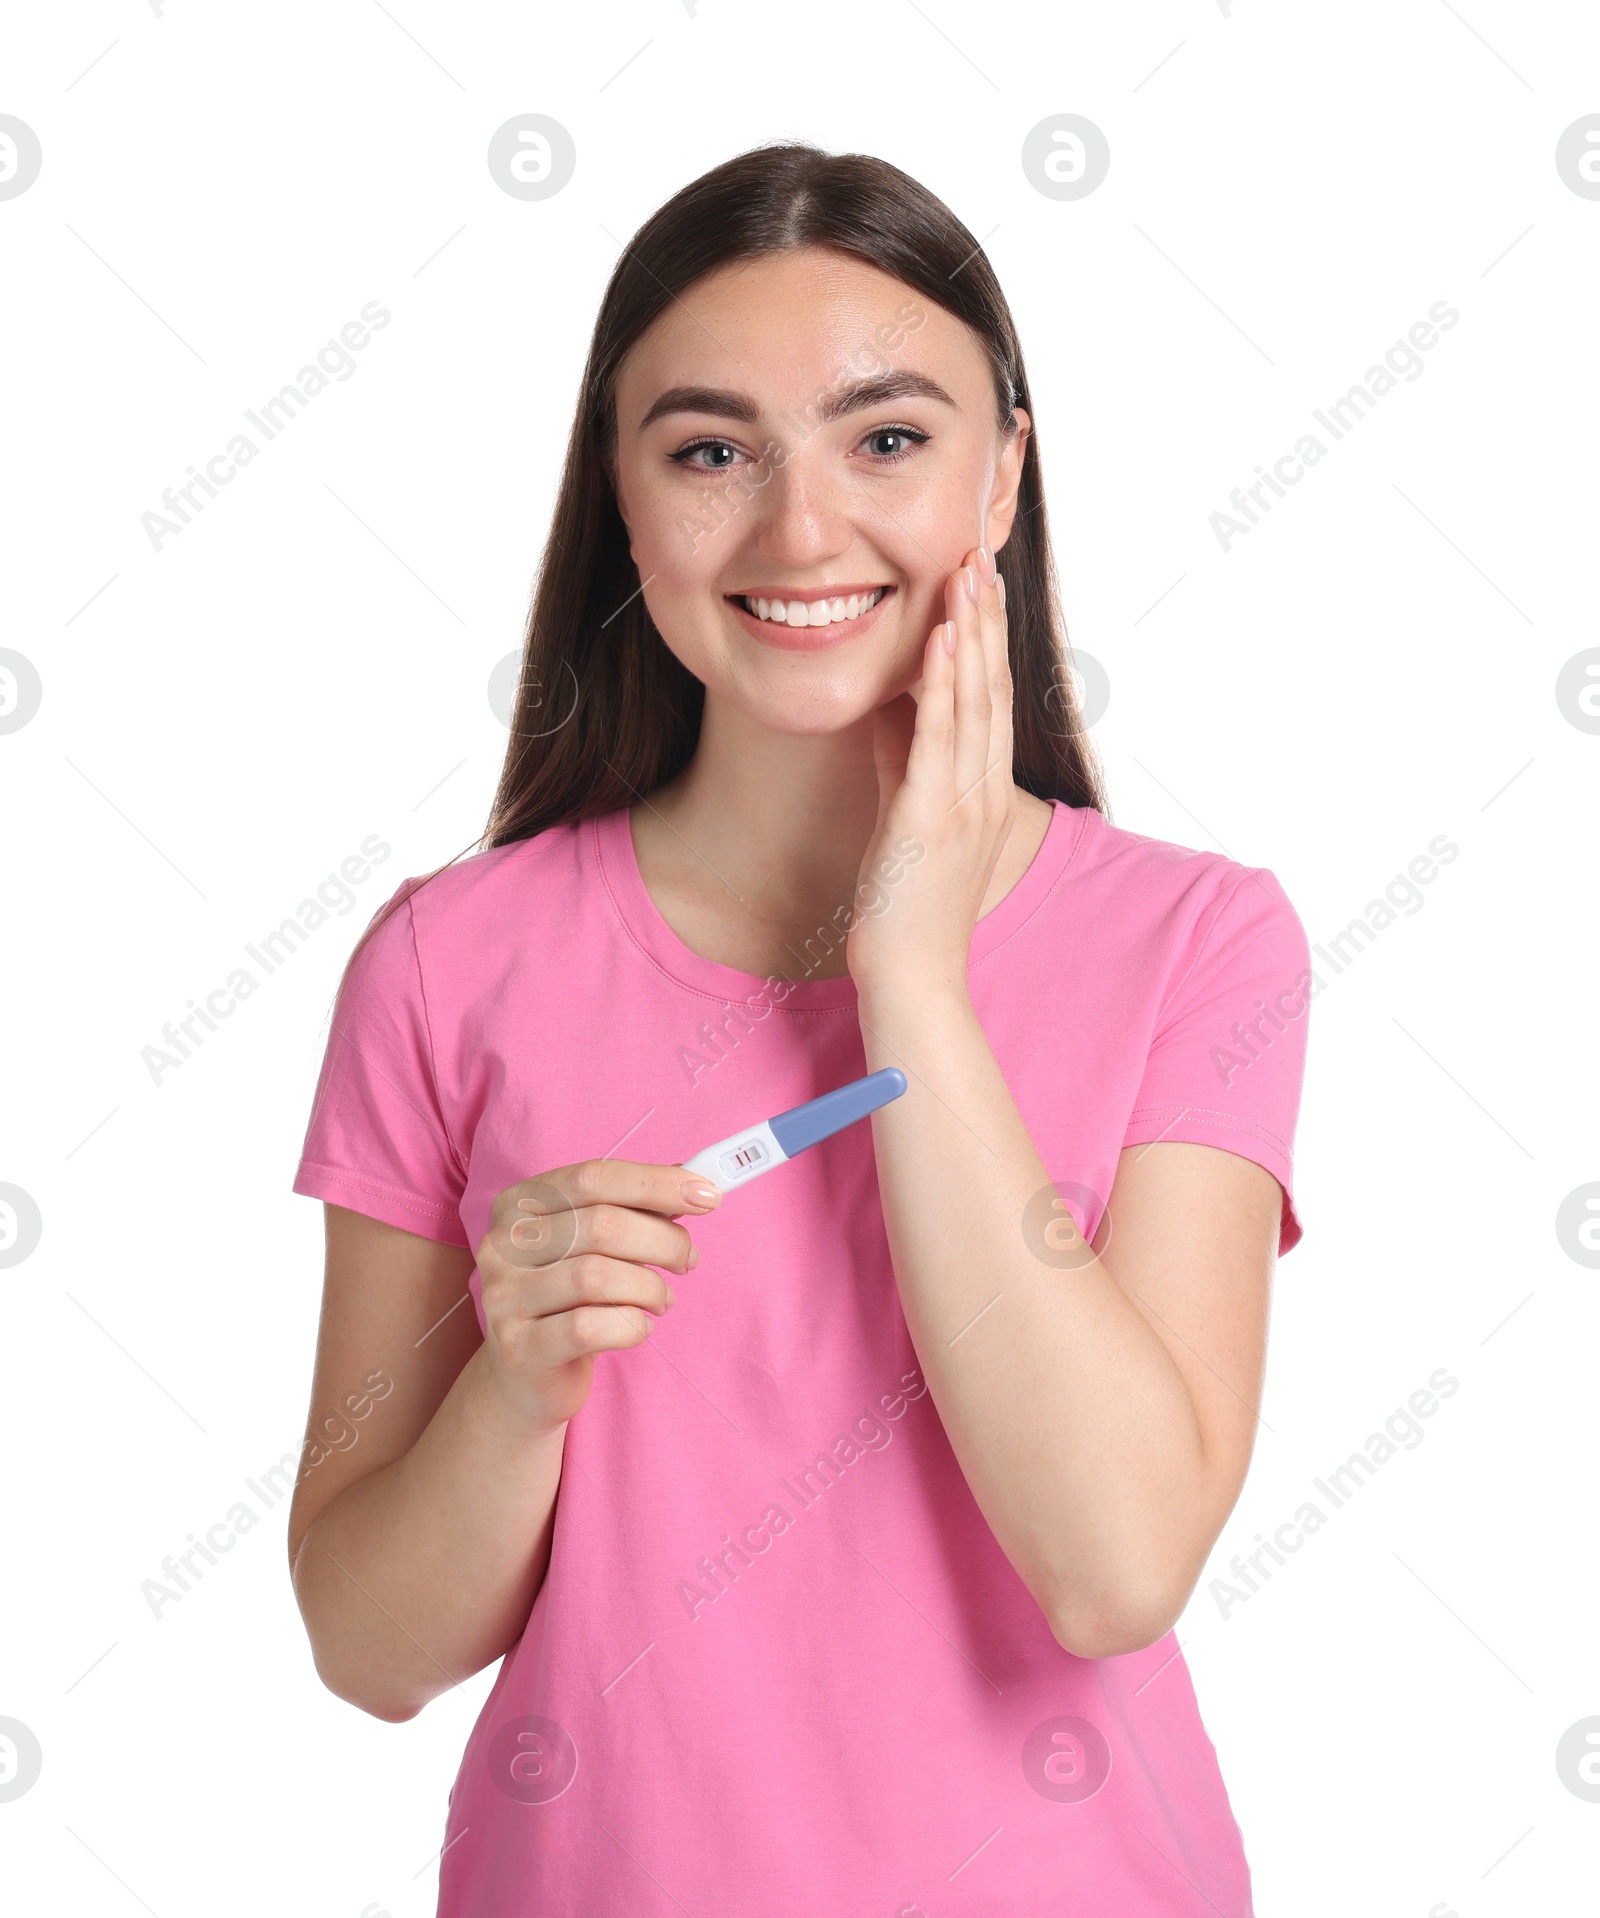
780 1664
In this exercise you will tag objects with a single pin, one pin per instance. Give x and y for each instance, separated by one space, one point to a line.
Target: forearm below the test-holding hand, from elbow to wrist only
425 1572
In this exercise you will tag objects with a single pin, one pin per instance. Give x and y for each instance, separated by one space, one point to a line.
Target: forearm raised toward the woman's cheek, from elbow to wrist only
1066 1411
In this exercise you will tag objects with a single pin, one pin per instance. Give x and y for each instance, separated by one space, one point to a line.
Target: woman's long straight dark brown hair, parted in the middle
605 713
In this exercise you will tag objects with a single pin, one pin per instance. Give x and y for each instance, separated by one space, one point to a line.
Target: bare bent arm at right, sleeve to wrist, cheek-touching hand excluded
1102 1409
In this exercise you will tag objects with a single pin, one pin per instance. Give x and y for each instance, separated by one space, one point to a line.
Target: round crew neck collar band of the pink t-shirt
611 843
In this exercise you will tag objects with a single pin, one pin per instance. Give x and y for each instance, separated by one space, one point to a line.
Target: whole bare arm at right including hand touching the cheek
1102 1411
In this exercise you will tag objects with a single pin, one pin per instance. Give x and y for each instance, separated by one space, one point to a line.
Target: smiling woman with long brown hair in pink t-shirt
849 1585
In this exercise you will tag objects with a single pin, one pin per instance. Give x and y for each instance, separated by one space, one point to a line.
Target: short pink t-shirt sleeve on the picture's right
1227 1060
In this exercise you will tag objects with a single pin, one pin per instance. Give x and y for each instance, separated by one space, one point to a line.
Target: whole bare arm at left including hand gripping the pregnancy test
419 1545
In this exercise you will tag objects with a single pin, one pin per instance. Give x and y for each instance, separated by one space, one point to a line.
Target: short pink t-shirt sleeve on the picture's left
379 1140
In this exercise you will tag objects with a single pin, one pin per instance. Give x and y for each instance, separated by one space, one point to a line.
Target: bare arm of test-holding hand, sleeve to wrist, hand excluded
419 1551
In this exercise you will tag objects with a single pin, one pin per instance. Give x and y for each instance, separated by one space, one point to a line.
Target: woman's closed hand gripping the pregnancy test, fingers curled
569 1271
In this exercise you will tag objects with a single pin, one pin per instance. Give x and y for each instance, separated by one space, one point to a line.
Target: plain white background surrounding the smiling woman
225 720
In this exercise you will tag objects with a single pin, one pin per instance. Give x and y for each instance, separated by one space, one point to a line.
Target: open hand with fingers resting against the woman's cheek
947 799
